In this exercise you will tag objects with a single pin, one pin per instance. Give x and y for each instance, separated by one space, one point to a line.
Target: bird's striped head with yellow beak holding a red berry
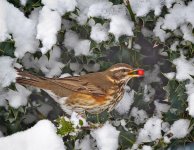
123 72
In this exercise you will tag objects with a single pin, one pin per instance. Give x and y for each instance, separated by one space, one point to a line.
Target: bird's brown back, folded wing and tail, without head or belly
86 84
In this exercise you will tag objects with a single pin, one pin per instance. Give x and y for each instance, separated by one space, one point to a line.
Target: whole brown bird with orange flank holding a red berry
94 92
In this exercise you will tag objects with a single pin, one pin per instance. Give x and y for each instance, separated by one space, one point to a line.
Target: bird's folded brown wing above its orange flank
77 84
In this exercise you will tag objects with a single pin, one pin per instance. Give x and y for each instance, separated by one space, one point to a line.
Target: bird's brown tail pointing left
26 78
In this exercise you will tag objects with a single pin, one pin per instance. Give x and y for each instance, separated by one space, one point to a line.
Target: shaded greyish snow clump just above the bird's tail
50 67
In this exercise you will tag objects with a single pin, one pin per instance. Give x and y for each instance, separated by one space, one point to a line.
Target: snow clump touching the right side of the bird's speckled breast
124 105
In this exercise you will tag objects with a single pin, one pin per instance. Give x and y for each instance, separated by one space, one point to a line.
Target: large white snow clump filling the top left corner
24 39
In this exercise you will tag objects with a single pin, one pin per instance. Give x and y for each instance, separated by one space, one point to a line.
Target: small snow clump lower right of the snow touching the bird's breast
140 116
